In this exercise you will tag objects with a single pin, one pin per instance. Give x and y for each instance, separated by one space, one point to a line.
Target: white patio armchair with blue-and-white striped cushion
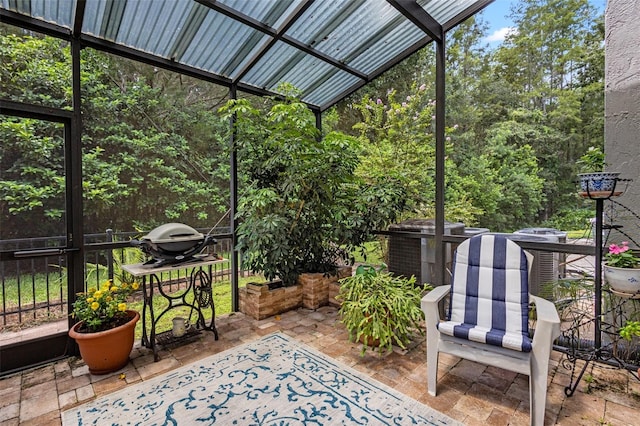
489 316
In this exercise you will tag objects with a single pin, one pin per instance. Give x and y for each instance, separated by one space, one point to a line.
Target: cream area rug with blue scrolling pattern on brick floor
273 381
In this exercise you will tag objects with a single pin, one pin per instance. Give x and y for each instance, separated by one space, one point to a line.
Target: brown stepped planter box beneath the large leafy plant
311 292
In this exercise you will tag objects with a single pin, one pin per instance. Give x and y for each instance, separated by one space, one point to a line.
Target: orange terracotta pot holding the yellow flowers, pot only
106 351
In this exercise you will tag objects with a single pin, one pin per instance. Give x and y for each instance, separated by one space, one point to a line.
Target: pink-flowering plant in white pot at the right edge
621 269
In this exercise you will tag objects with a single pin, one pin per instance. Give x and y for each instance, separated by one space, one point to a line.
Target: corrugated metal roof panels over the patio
327 49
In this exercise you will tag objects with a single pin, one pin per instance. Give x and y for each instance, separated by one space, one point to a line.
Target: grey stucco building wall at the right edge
622 107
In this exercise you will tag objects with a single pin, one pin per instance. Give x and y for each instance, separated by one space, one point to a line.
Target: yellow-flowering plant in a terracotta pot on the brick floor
105 331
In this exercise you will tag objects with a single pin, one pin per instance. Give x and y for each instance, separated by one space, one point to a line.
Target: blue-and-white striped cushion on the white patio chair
489 293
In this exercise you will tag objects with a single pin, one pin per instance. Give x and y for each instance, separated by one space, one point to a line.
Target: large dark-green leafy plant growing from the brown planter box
302 208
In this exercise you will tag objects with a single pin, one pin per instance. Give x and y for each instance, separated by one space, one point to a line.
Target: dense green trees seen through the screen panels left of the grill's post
152 142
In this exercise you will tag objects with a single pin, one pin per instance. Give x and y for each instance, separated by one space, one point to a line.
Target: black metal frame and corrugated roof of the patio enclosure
327 49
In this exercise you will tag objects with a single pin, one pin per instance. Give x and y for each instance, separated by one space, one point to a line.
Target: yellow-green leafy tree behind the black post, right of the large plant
397 142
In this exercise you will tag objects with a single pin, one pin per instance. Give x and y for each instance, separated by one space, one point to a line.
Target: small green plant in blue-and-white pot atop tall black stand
594 181
